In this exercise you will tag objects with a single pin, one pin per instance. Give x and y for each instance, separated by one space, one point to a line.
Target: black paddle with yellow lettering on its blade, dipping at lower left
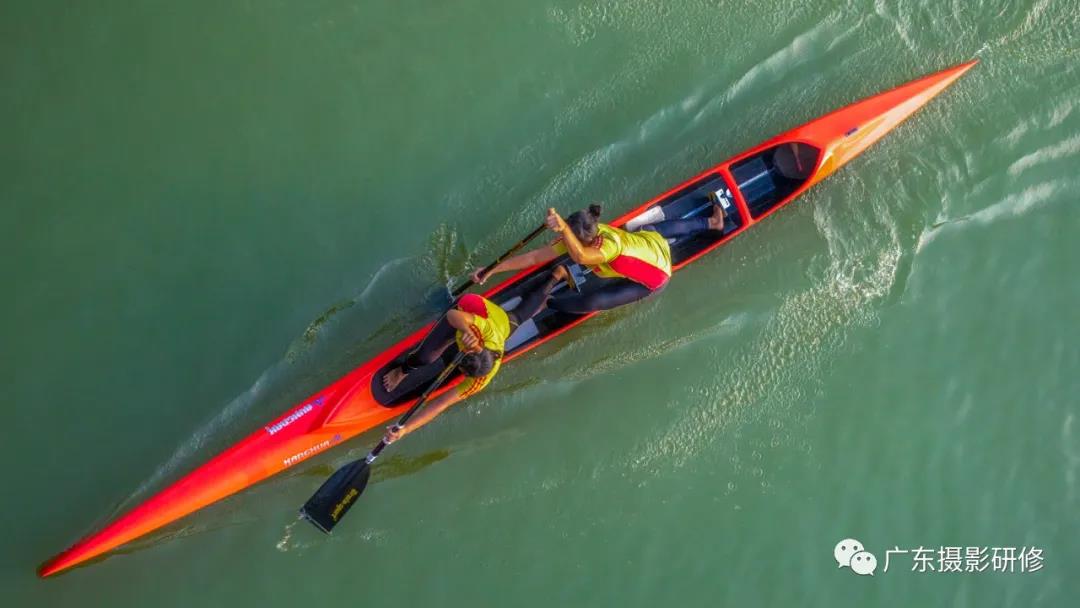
340 493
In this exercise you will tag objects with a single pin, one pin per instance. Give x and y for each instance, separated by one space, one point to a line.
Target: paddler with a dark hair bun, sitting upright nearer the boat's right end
634 265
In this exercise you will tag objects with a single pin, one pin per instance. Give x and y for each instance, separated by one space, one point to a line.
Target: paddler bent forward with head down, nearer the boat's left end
479 328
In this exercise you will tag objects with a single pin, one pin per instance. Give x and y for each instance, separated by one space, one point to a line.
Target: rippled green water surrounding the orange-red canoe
210 212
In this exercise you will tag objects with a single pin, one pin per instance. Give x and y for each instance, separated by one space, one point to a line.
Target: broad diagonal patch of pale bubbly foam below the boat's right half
764 377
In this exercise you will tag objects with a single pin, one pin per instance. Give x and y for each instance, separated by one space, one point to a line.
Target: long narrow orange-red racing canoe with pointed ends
752 186
